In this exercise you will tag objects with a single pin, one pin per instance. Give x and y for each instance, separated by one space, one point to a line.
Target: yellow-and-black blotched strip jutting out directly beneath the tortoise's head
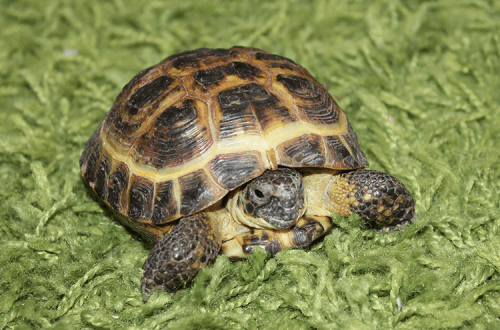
301 235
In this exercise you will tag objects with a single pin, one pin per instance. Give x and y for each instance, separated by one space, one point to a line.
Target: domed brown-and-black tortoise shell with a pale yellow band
183 133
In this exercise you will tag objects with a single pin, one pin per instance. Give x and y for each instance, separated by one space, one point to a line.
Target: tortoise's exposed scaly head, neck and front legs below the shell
380 199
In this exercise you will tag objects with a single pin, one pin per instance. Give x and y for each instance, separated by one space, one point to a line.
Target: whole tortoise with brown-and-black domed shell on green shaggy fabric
224 150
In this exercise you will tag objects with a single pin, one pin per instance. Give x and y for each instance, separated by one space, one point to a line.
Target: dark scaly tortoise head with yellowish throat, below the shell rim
274 199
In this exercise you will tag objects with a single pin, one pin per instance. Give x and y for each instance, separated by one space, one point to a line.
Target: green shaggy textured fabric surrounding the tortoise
419 81
